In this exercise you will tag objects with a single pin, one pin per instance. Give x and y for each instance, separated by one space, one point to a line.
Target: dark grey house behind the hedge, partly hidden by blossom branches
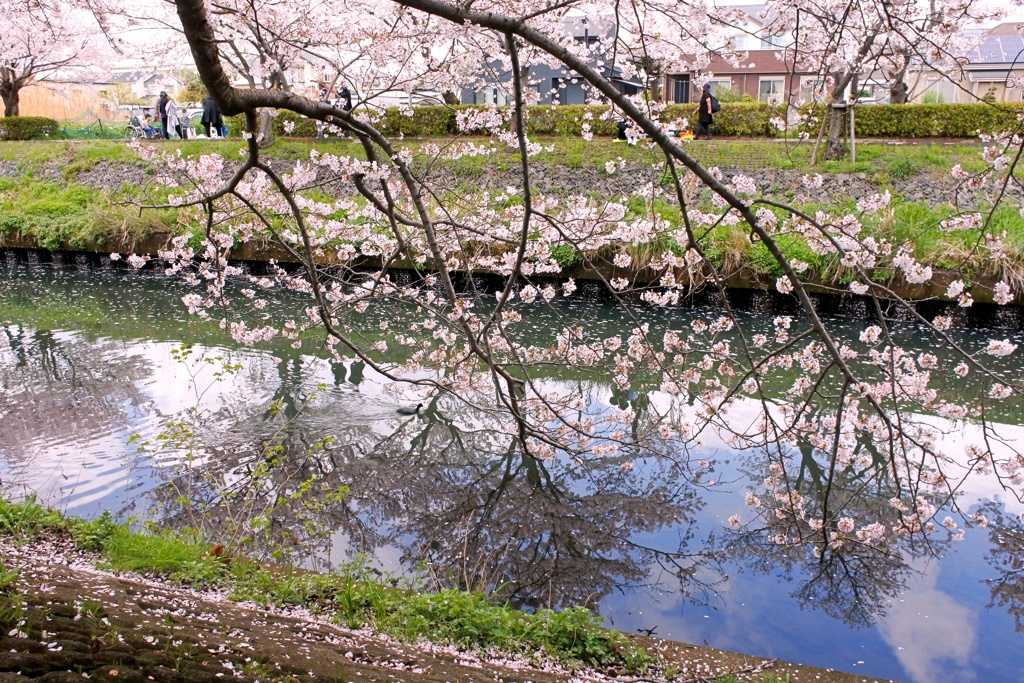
557 86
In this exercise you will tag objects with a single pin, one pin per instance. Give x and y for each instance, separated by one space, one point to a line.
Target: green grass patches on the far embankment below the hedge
51 201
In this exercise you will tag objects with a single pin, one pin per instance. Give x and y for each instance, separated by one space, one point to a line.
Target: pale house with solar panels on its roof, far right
992 70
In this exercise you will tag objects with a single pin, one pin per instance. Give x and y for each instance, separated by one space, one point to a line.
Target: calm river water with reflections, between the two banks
92 366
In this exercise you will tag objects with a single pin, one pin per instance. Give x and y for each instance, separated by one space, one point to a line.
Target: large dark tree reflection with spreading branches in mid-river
486 516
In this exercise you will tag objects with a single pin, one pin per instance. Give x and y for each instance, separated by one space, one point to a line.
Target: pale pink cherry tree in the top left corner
40 39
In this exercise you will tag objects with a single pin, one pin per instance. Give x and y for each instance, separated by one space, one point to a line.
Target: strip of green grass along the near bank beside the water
354 597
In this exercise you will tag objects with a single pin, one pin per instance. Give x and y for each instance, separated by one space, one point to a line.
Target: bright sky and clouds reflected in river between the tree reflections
74 451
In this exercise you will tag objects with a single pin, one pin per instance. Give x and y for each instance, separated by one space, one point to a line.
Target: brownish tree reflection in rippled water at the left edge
63 387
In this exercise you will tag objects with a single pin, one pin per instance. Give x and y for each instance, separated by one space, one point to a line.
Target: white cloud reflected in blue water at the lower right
931 634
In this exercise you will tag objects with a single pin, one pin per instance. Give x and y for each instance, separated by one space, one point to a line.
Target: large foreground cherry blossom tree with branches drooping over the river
391 278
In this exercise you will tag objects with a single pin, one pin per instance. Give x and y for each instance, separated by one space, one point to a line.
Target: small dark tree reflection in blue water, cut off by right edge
1006 556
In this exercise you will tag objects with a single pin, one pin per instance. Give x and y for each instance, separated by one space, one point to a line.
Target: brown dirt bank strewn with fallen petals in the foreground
64 620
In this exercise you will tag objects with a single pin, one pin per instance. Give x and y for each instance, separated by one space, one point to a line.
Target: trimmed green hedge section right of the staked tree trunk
930 120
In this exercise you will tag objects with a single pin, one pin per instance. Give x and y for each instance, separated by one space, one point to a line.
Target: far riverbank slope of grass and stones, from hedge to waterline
86 196
